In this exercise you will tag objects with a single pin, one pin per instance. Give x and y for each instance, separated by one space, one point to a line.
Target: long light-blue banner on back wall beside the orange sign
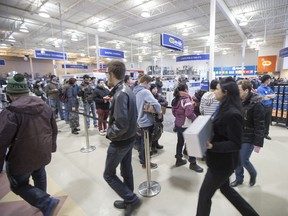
235 71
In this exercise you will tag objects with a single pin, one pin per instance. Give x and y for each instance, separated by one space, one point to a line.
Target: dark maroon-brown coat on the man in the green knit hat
29 130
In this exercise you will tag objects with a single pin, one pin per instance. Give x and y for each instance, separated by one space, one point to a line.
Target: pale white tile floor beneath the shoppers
80 175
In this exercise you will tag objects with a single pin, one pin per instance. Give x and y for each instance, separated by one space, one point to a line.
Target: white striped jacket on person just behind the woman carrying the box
208 103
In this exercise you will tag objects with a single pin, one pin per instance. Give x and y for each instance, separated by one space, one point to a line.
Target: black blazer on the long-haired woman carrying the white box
226 140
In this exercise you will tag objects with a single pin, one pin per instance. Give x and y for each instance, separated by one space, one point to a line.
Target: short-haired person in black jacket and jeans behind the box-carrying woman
253 131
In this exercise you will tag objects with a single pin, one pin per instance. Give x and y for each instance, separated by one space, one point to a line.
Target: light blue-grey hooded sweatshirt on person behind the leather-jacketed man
143 96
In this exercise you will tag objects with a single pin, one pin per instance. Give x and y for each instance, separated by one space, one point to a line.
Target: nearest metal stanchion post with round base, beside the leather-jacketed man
148 188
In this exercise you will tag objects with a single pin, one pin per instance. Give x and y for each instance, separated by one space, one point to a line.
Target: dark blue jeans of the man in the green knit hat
35 195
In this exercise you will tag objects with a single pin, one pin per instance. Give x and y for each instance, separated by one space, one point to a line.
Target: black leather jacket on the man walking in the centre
122 119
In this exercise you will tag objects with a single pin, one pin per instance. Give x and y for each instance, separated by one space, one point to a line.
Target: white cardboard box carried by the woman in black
197 135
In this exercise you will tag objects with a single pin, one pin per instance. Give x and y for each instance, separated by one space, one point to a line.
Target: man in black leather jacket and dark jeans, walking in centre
121 131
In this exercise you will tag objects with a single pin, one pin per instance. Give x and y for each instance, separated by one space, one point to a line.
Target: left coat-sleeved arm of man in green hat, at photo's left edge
8 130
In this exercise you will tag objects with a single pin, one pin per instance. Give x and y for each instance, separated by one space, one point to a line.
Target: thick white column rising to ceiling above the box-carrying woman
212 39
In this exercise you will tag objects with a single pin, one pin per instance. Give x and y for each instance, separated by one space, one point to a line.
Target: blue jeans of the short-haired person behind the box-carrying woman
245 153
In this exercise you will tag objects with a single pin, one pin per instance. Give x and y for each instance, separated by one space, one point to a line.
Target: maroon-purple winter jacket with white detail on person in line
183 107
